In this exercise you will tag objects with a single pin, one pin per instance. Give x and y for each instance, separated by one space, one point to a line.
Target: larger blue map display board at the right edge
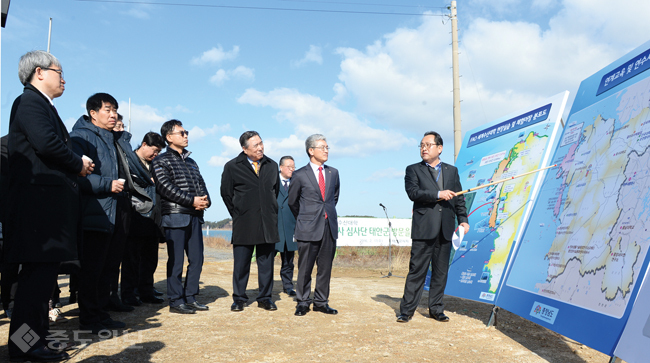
584 249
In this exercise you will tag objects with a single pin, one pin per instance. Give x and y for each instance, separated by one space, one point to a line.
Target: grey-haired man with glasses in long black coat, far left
42 227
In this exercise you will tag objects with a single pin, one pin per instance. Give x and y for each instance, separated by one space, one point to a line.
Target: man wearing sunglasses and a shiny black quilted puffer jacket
184 199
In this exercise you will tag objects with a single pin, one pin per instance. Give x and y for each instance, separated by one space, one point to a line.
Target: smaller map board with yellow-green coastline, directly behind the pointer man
510 146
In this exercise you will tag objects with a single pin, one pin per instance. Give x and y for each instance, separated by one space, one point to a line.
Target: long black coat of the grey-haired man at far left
43 203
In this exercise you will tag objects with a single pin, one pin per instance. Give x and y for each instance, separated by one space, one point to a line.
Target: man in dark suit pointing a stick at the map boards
432 186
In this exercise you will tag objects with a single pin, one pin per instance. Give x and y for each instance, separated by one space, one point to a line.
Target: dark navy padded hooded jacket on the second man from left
99 204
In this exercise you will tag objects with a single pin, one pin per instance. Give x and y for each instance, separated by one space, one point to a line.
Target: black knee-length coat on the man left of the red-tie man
251 200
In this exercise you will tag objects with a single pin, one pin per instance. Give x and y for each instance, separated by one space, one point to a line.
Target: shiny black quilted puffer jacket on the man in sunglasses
178 181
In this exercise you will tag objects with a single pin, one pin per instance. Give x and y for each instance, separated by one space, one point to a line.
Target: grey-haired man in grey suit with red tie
313 195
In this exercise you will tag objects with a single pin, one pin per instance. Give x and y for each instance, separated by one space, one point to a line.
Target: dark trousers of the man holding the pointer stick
435 251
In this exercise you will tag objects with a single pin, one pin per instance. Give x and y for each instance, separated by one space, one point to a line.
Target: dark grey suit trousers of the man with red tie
320 252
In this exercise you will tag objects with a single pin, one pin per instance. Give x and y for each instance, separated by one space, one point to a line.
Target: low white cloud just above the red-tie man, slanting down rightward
346 133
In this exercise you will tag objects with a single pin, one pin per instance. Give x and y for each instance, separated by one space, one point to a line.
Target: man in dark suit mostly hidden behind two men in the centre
286 225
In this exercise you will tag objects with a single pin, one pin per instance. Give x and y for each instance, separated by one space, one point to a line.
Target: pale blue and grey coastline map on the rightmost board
587 238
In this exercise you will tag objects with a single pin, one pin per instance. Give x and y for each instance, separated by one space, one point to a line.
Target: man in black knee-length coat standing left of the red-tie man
249 188
